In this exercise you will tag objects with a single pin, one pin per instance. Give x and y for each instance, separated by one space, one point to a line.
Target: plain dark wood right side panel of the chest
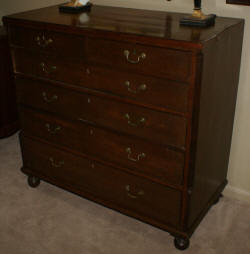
215 118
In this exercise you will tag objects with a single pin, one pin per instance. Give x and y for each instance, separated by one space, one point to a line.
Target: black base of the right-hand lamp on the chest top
203 21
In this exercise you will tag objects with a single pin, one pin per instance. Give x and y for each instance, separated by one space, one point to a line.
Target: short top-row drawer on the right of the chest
160 62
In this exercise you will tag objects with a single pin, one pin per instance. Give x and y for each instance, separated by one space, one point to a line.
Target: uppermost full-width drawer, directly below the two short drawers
140 89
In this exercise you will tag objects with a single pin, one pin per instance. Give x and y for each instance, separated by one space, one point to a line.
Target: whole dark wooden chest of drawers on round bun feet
128 109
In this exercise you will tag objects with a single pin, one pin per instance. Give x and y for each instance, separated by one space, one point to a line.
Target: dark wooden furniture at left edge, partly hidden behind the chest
8 109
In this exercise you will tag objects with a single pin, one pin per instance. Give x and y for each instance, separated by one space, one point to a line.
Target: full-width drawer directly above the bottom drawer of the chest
138 156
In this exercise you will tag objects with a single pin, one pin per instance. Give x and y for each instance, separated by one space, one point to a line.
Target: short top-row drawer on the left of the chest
48 41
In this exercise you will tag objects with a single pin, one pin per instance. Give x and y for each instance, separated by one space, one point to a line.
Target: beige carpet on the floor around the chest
48 220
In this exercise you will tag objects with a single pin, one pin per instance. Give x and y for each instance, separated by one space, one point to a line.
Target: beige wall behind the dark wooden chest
239 168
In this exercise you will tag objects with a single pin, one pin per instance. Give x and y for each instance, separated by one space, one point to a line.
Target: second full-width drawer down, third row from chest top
134 120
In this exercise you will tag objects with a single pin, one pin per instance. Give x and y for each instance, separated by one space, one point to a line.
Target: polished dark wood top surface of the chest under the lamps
123 21
